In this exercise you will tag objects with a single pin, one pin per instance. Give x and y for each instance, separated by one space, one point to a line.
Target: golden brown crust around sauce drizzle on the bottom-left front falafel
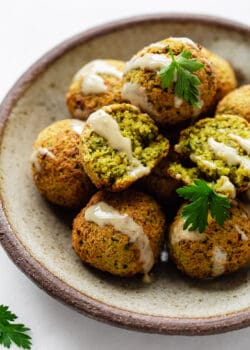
110 250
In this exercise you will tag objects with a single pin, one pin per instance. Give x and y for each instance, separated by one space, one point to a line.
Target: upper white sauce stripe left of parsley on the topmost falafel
149 61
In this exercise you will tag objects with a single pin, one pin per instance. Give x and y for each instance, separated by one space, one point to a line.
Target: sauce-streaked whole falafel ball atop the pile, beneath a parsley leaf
142 83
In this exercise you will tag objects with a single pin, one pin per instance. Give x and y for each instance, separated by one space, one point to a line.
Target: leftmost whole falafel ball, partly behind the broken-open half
56 167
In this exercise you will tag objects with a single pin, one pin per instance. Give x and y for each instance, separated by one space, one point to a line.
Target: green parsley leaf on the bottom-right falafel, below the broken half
204 200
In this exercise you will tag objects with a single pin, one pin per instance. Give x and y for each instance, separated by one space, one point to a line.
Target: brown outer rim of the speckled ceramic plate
53 285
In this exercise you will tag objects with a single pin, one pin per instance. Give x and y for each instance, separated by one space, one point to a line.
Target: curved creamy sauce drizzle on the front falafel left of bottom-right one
103 214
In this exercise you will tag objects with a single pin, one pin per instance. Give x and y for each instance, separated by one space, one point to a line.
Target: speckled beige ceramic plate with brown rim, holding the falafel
37 237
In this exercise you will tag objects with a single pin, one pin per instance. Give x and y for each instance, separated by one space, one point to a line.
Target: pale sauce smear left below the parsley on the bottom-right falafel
179 234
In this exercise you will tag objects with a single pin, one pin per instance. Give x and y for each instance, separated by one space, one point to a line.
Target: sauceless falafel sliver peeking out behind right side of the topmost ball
226 79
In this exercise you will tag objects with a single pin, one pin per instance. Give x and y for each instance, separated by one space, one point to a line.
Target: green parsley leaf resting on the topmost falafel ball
181 69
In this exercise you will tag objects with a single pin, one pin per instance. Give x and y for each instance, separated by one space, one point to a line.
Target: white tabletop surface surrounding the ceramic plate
28 29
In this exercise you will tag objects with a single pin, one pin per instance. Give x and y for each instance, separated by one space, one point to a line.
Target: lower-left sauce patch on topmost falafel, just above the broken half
137 96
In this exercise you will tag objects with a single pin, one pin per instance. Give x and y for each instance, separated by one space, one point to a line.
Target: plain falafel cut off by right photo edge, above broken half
236 102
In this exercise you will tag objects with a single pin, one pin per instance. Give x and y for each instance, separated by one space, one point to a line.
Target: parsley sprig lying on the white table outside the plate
12 332
